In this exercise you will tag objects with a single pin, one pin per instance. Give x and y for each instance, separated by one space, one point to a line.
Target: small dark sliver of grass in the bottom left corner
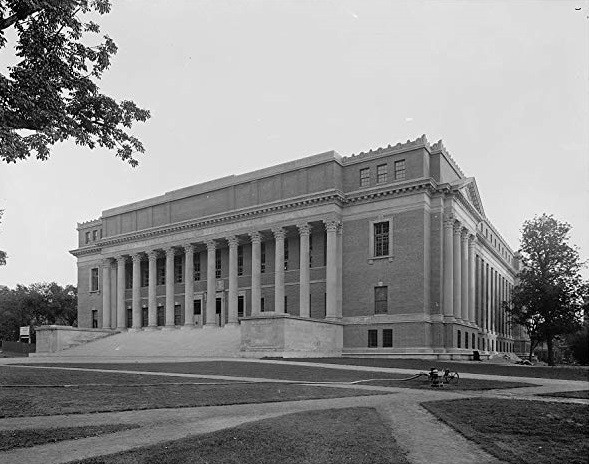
26 438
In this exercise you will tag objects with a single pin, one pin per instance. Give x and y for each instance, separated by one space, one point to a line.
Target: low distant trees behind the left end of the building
37 304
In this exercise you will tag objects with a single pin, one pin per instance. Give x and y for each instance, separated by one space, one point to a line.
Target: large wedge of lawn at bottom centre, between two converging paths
353 435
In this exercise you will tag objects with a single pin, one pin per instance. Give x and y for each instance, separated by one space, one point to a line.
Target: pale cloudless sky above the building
235 86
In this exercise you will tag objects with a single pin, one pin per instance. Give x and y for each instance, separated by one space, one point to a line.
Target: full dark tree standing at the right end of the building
548 298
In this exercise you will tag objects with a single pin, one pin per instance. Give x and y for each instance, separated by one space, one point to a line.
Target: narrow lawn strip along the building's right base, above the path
547 372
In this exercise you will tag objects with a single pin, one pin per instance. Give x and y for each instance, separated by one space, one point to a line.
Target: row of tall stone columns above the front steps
333 279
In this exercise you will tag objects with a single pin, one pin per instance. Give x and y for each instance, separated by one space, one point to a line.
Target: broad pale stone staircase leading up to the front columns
194 342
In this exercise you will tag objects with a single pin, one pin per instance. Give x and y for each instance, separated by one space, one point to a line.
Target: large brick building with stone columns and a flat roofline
387 252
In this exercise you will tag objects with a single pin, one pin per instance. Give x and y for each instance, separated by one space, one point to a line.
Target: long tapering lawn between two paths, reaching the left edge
90 399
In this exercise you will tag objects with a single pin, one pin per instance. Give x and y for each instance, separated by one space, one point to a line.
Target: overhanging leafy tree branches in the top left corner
51 94
